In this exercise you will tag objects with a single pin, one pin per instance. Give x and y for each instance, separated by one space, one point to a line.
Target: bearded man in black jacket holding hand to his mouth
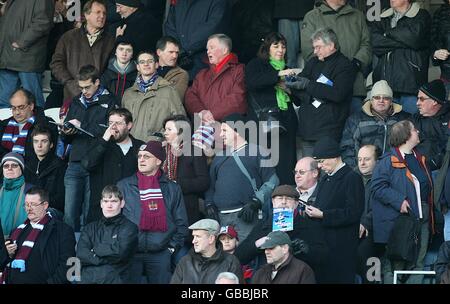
111 158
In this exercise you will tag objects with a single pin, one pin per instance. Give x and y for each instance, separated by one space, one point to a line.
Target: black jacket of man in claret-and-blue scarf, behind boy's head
41 119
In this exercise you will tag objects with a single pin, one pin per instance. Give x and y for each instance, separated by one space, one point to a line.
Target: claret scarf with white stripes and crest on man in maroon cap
153 209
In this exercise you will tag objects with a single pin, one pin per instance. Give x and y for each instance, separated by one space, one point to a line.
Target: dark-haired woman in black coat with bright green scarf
265 80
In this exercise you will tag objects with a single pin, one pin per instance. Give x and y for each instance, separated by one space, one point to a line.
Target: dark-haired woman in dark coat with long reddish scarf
185 164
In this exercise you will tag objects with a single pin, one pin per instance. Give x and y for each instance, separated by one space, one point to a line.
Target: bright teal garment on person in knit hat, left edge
9 194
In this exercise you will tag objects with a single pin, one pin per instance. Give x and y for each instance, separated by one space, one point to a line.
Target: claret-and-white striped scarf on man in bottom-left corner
24 250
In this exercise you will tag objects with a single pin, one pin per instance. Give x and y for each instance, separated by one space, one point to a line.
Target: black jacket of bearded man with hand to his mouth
107 165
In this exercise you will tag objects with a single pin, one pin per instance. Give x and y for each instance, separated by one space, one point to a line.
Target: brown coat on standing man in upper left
73 51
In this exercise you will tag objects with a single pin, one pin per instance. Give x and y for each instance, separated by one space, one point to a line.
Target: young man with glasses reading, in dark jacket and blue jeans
88 111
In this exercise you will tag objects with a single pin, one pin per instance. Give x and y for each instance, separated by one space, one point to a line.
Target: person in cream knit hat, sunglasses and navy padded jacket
372 124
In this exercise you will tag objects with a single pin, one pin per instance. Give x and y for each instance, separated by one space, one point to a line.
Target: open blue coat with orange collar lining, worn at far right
392 183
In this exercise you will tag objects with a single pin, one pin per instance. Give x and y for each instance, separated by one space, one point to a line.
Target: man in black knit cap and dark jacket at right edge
432 121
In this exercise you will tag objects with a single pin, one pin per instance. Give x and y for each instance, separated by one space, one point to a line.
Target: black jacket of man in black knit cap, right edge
433 135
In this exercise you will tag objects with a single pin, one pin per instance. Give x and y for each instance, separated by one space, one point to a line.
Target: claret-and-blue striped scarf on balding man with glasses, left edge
13 139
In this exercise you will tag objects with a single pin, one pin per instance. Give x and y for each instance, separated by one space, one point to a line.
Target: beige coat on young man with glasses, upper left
151 108
